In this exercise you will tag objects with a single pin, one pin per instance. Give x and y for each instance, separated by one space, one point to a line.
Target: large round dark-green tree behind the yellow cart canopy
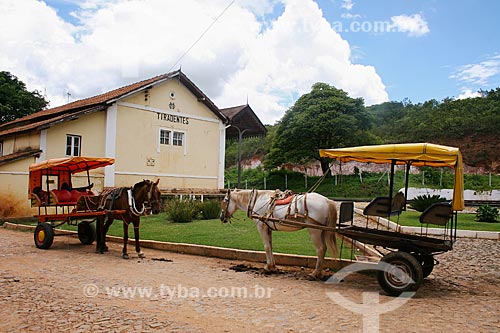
324 118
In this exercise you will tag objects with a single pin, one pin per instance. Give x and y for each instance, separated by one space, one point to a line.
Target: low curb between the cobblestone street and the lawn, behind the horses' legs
210 251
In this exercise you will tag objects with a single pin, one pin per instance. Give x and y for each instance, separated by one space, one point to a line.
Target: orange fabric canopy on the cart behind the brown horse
72 164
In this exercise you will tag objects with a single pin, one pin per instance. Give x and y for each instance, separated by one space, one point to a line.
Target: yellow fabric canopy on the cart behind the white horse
416 154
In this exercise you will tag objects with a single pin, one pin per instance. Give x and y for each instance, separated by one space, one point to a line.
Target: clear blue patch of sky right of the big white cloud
461 33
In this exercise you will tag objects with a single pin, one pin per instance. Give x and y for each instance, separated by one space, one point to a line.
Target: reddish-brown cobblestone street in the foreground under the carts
70 288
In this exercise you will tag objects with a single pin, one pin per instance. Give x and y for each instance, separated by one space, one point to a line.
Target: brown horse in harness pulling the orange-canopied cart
142 198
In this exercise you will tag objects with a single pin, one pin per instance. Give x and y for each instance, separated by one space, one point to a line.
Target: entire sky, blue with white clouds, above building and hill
267 51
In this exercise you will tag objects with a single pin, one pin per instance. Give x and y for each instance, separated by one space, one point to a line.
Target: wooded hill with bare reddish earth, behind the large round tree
472 124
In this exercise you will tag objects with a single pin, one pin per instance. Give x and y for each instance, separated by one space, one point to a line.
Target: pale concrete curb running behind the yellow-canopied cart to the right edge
431 231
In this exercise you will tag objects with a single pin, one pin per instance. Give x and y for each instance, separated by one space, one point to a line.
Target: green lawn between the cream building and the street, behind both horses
240 234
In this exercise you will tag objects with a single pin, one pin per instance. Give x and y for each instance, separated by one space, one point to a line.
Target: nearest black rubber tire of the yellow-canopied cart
408 264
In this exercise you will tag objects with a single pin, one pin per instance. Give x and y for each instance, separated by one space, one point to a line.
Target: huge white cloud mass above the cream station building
116 43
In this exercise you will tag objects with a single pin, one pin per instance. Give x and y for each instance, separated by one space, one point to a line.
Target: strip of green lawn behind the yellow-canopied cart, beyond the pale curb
465 221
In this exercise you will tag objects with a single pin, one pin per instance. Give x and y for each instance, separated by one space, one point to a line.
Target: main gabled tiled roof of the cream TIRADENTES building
48 116
